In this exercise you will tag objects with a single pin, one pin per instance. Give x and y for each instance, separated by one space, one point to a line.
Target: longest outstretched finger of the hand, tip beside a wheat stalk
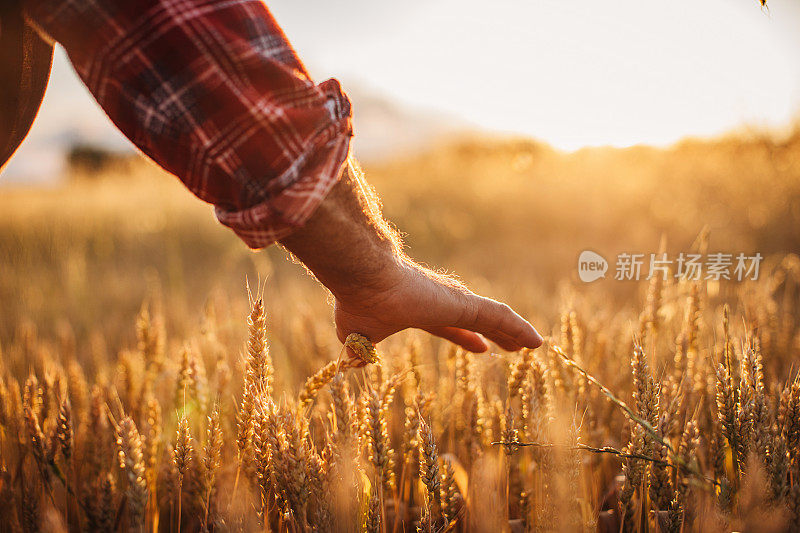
498 322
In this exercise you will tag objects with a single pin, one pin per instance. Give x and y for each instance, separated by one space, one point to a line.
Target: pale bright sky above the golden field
572 73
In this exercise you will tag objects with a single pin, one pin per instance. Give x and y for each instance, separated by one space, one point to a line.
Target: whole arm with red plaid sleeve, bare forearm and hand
214 93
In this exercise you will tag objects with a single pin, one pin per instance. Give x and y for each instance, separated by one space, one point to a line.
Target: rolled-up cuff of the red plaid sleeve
303 185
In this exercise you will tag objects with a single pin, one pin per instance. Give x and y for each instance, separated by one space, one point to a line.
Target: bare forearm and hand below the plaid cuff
379 290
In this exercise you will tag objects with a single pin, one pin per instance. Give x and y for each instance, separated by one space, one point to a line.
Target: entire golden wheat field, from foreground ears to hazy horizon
156 376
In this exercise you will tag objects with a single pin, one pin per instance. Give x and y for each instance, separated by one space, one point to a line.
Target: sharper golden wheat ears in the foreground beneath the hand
431 439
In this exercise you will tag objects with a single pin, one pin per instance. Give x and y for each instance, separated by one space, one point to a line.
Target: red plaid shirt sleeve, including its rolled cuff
212 91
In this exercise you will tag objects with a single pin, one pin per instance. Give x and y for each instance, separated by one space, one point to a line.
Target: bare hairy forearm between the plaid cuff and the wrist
346 243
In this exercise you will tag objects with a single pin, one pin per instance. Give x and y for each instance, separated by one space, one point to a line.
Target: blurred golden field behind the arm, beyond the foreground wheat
509 216
